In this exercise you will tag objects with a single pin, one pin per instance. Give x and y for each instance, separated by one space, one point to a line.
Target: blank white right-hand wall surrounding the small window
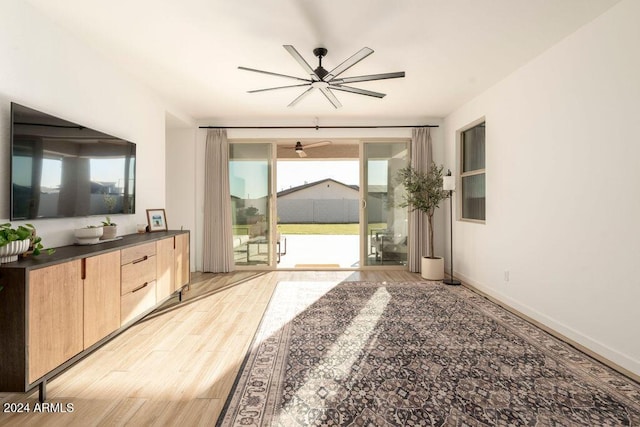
563 201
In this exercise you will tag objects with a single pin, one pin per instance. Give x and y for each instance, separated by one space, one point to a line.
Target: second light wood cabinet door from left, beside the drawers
101 296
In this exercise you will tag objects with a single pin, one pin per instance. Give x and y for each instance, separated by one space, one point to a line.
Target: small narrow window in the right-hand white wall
473 173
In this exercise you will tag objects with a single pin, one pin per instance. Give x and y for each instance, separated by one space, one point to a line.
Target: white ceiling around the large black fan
188 51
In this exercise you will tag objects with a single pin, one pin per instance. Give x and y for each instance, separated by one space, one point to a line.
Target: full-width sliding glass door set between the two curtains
383 226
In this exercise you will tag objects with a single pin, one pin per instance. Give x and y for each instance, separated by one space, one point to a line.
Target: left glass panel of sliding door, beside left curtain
250 181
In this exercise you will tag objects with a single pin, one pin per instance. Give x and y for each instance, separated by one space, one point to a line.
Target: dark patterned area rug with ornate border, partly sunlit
404 354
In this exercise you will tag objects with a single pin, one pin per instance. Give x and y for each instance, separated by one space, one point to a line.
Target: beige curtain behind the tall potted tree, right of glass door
421 158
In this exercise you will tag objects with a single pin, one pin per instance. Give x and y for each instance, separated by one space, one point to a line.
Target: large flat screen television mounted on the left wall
60 169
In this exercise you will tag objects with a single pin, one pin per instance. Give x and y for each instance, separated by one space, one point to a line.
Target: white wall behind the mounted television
44 68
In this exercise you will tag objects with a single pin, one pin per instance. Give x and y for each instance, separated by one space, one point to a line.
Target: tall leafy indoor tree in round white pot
424 192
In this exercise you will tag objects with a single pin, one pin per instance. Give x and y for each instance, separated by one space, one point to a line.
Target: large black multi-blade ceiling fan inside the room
327 81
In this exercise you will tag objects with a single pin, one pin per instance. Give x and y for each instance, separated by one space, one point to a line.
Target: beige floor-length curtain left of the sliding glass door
217 239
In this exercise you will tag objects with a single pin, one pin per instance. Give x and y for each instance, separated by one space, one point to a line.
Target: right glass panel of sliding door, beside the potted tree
384 226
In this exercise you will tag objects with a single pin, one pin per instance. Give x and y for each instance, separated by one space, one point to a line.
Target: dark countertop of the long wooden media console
69 253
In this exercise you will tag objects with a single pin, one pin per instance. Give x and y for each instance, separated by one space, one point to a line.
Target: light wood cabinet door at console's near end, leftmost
55 317
